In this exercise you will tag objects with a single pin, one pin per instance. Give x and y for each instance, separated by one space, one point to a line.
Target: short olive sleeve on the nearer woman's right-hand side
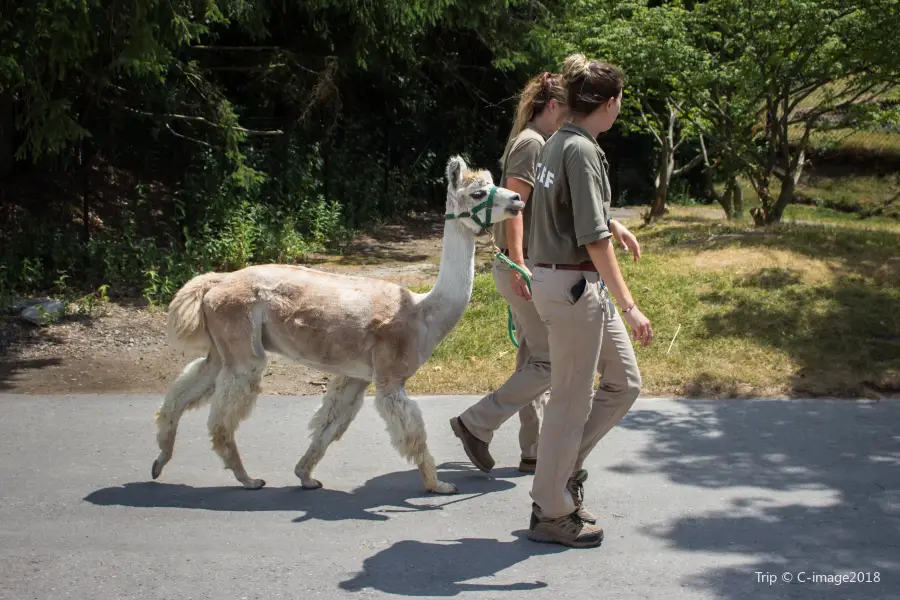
586 177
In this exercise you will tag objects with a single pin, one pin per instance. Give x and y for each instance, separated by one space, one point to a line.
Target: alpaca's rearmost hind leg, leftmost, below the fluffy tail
189 390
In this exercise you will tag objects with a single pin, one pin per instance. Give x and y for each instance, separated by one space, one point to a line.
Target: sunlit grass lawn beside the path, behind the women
796 309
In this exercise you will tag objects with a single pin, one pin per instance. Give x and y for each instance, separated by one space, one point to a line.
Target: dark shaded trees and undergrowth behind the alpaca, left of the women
246 132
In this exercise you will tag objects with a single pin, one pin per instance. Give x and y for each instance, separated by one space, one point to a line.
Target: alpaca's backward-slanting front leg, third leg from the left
341 404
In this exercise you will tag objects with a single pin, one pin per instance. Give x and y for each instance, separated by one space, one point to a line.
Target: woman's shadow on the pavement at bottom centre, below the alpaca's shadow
413 568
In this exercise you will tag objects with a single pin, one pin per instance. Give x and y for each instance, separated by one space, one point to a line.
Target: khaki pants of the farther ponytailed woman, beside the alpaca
524 391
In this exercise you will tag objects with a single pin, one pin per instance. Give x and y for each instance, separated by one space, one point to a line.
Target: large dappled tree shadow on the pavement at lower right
814 486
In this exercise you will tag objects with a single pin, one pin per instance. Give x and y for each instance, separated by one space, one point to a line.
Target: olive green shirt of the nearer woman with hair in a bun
571 198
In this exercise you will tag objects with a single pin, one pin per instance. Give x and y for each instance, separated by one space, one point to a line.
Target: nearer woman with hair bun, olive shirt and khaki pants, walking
574 272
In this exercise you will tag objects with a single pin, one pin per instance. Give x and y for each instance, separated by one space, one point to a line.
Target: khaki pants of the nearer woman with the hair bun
585 335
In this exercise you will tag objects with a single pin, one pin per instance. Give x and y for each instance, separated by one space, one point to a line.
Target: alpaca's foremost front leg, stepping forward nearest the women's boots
407 430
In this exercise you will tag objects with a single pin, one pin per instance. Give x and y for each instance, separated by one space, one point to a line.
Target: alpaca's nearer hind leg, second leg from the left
232 402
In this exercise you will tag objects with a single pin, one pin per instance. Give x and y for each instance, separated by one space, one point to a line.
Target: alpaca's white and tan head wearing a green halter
475 200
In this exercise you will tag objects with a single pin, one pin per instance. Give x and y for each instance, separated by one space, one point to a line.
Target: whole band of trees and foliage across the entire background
144 142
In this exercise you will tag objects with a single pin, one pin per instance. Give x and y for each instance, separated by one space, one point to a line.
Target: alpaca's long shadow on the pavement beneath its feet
376 500
